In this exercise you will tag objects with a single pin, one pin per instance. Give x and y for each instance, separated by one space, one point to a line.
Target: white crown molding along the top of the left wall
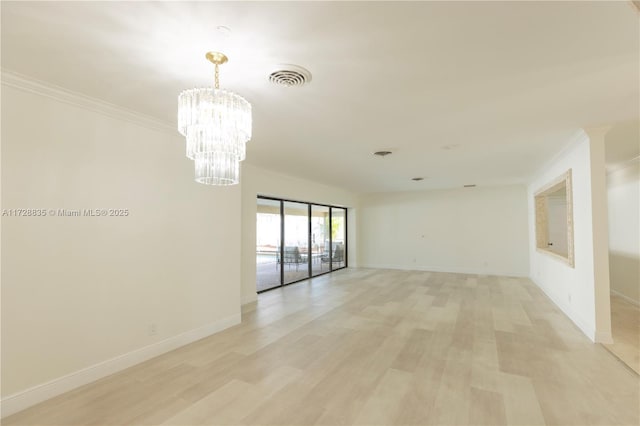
41 88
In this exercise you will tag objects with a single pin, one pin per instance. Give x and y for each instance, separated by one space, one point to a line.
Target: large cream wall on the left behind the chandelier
78 292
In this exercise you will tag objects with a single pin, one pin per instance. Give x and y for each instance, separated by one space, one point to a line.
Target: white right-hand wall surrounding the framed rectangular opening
575 289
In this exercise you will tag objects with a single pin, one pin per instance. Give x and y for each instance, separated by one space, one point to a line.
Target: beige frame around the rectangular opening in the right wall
542 221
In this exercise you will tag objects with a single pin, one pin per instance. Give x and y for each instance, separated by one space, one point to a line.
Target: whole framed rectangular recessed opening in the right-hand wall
554 219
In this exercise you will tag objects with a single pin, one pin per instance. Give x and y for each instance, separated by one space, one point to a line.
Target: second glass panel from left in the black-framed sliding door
295 261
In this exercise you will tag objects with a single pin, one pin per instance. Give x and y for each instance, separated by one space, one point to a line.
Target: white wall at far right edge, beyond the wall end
624 230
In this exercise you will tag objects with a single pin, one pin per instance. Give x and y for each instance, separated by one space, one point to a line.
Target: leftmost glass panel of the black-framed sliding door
267 244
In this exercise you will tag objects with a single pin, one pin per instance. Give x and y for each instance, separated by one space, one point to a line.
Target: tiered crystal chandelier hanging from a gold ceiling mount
217 125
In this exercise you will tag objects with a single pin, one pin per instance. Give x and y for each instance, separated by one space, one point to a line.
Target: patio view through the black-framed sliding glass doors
314 241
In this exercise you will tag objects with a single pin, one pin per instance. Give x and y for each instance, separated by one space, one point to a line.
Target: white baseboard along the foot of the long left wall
29 397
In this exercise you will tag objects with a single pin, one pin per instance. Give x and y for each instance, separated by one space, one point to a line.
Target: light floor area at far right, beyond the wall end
625 327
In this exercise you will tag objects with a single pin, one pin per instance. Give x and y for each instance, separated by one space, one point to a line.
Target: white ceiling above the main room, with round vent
504 85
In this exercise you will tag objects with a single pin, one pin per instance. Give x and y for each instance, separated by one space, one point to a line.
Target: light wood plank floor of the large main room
372 347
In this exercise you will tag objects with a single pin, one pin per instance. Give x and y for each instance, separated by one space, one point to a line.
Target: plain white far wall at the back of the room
467 230
